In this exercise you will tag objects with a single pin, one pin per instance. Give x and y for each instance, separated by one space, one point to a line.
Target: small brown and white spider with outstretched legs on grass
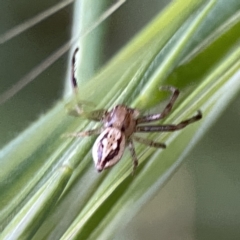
119 126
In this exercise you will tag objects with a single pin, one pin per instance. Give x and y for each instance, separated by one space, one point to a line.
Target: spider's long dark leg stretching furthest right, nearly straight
169 127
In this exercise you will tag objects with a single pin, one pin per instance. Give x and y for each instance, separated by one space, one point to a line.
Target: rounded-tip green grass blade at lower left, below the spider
25 224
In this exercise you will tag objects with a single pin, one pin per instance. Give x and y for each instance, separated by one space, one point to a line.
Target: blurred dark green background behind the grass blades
201 201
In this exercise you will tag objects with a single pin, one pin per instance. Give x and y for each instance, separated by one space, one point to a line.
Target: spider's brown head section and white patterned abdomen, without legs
119 124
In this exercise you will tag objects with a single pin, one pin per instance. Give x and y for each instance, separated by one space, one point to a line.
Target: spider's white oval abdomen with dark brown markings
108 148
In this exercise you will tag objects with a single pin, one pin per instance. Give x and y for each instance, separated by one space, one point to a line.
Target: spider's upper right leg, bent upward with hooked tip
167 109
